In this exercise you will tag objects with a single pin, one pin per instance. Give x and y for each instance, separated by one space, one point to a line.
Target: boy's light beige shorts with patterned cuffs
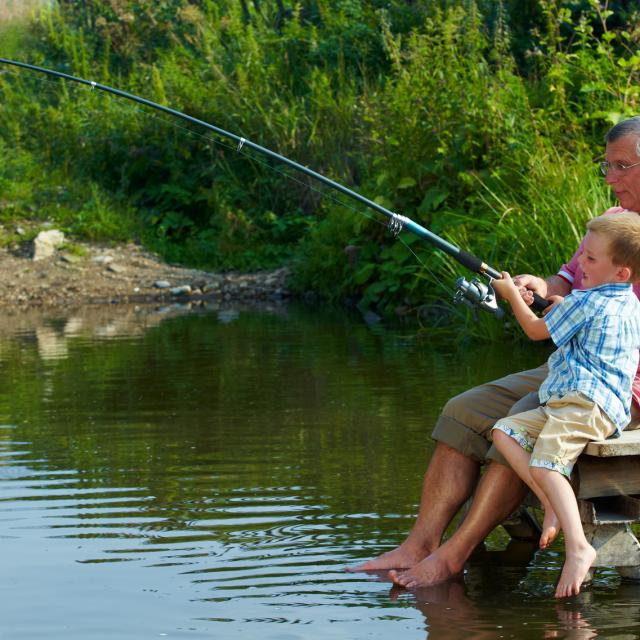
556 434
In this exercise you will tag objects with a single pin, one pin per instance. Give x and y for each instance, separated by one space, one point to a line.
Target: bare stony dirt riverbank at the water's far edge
94 274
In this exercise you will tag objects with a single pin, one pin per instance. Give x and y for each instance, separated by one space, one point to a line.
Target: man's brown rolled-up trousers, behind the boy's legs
467 419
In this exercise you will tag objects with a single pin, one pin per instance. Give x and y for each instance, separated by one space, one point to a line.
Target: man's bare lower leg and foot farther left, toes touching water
448 482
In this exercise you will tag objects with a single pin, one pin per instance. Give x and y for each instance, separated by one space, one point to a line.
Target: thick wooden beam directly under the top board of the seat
594 477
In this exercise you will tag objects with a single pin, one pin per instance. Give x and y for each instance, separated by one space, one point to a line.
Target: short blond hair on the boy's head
622 230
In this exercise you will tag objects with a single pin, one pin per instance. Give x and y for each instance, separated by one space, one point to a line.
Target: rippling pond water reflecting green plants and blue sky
210 473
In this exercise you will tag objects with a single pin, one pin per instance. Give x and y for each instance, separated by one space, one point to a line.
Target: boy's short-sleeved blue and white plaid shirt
597 332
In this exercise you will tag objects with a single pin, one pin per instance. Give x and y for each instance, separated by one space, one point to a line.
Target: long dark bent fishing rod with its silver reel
474 292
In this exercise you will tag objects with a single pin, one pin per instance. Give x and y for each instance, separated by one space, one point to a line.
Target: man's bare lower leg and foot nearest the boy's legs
499 493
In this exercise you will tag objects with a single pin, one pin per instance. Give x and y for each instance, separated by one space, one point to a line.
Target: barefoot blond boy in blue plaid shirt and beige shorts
587 394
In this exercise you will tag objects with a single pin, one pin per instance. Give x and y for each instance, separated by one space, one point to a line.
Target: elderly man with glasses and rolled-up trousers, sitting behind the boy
462 430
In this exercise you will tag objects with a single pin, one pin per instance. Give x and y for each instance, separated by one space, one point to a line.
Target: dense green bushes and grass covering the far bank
479 119
